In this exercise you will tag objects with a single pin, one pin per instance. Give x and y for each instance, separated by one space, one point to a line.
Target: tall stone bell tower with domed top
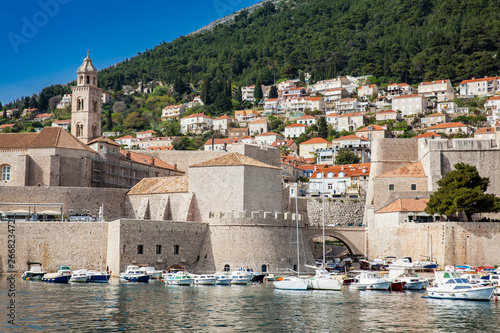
86 103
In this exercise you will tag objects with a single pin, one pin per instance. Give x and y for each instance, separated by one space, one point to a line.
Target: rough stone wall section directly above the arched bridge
341 212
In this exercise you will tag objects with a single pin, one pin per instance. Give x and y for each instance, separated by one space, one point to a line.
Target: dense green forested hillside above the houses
410 41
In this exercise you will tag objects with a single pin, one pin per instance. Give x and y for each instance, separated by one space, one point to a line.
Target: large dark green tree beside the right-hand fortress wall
462 190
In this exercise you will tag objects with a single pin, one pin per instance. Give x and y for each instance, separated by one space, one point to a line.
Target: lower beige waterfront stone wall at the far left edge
78 244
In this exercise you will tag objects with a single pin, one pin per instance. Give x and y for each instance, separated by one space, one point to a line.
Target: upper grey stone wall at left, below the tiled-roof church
76 198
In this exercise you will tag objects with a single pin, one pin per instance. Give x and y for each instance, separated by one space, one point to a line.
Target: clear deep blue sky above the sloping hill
43 42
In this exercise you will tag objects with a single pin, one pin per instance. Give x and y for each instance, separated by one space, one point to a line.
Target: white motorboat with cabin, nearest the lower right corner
449 285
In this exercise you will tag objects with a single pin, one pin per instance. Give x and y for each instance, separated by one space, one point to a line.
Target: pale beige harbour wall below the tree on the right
451 243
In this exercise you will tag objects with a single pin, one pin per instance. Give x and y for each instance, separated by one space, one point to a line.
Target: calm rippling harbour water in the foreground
133 307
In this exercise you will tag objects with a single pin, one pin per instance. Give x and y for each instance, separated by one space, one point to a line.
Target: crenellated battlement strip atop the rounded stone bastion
254 218
